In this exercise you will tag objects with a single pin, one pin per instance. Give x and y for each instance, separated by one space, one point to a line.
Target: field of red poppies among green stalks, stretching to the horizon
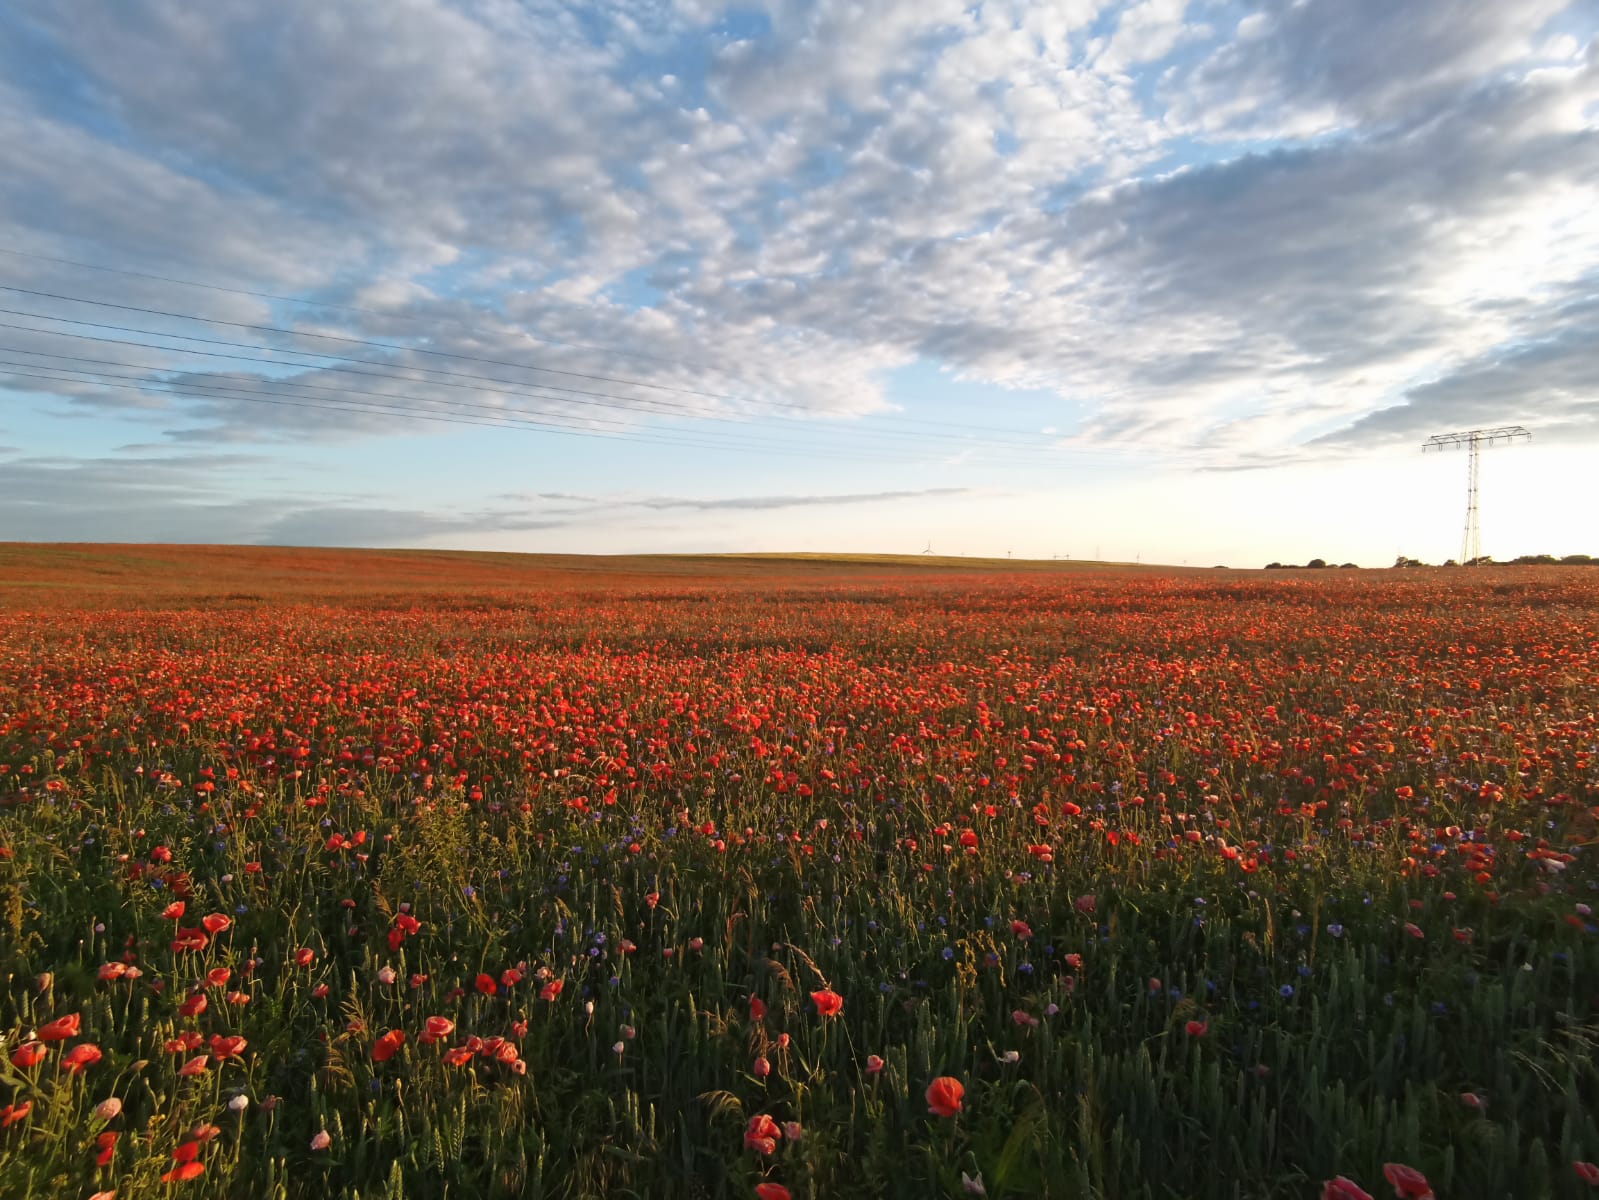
803 884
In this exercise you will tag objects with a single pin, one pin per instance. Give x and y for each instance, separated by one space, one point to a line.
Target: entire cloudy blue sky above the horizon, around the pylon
1166 281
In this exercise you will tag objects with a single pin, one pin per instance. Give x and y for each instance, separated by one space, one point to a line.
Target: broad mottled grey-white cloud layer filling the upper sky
1298 226
